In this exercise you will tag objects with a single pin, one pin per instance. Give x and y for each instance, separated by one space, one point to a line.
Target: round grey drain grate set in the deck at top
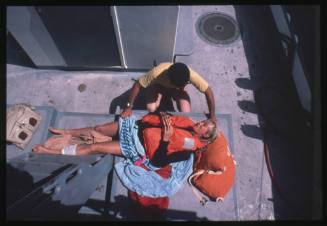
217 28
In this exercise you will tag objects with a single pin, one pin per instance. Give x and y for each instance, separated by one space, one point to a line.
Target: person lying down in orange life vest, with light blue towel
147 145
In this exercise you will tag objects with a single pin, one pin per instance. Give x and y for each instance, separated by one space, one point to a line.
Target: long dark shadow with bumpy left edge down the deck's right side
281 117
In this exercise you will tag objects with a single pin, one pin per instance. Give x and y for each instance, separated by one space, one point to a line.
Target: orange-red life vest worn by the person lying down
181 140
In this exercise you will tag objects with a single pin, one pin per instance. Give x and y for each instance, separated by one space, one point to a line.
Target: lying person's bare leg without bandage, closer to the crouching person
108 129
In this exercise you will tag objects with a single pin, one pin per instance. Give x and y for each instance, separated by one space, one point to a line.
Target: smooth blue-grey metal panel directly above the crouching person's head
147 34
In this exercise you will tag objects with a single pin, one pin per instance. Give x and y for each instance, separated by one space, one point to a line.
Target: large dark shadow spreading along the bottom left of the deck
27 201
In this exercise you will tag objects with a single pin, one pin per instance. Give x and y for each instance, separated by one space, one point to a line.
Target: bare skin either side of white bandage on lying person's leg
110 147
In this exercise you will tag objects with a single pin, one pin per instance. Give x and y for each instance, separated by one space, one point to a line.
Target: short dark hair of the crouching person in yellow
179 74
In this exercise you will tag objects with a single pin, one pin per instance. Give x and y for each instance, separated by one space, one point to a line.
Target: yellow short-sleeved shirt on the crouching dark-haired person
158 75
